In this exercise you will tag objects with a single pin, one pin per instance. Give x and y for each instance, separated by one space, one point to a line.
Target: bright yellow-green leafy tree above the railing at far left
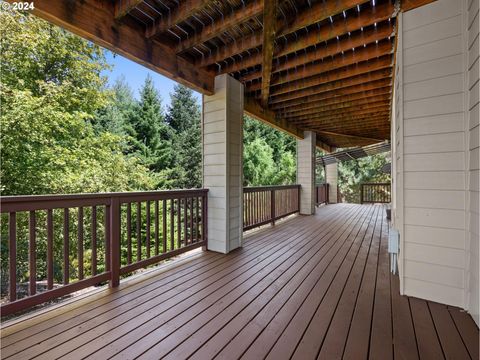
51 88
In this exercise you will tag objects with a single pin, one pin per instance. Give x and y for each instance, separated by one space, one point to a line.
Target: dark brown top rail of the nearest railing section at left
38 202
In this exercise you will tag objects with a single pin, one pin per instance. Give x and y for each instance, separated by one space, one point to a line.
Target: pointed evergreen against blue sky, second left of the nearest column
152 136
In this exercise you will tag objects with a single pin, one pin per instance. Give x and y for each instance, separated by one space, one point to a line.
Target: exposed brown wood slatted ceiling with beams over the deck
320 65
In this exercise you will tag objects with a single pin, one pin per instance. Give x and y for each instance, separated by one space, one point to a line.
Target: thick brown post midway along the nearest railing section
115 242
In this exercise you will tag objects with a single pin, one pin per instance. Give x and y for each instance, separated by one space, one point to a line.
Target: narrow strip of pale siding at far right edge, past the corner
472 31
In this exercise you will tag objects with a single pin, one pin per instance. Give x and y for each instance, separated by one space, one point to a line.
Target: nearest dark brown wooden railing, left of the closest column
89 239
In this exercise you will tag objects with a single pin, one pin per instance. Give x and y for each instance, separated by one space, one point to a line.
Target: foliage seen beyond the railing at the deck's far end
355 172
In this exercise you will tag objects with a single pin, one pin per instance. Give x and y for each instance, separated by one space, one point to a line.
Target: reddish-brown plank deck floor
311 287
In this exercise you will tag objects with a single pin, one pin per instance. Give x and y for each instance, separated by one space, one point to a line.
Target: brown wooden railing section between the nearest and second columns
266 204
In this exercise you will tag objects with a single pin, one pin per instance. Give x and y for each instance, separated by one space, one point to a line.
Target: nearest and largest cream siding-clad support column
222 135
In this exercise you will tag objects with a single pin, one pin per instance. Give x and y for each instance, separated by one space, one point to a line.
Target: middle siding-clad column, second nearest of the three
306 172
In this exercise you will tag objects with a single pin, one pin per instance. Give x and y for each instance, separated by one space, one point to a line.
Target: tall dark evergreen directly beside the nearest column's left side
184 118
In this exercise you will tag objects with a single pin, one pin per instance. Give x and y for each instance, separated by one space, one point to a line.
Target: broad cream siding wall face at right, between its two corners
430 152
